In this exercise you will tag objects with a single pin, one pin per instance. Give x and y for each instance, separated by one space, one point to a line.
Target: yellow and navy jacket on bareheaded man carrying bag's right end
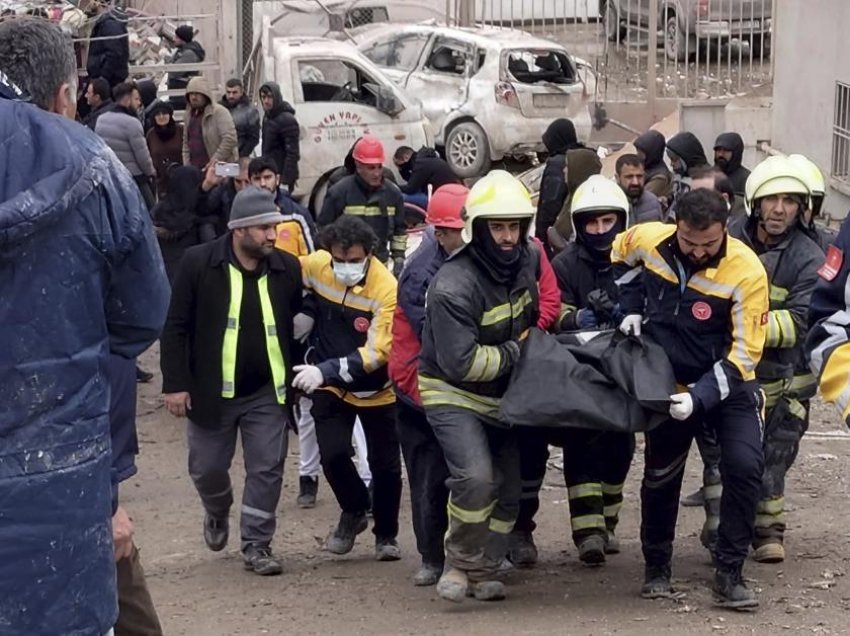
711 320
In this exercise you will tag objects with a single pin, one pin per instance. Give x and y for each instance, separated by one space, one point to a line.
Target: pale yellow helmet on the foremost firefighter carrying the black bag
497 195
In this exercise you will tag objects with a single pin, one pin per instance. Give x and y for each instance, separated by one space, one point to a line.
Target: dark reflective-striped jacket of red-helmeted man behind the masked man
382 209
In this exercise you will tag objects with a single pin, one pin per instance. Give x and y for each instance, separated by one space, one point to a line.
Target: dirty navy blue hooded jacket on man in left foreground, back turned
81 277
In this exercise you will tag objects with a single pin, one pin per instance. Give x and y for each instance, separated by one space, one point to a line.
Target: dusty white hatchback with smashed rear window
488 92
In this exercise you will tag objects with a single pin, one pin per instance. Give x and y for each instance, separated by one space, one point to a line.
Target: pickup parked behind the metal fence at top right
689 23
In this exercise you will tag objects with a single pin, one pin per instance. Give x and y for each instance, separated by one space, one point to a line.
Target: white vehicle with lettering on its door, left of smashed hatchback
338 95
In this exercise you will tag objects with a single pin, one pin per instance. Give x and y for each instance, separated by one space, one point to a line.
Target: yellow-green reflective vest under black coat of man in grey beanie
231 338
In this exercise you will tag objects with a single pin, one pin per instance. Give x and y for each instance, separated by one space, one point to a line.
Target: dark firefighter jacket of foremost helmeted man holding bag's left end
472 325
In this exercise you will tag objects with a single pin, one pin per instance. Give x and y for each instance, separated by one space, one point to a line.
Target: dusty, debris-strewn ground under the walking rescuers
198 592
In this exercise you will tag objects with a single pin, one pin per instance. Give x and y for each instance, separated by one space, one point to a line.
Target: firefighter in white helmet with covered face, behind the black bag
595 462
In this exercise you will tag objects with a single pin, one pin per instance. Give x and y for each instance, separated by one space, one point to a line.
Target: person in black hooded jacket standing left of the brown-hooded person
559 138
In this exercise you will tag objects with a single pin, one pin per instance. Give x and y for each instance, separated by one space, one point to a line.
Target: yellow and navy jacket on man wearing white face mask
352 335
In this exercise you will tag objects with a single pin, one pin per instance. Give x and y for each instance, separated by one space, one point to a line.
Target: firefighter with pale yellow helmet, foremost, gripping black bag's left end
480 306
